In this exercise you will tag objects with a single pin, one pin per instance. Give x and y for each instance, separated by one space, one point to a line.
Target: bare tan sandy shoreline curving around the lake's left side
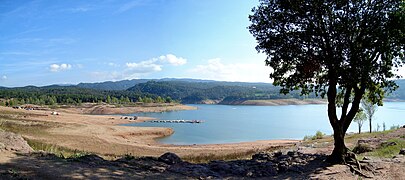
102 134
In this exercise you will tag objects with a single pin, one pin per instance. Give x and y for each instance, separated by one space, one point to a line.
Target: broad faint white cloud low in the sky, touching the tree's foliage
242 72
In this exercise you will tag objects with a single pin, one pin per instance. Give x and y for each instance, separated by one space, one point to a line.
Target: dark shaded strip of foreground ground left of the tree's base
292 165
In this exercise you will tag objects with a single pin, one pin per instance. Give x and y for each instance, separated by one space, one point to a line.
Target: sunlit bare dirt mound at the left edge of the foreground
13 142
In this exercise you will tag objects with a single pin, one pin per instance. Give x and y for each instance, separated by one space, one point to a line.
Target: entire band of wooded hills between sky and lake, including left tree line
163 90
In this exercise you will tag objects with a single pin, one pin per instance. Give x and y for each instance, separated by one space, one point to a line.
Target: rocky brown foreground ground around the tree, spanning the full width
304 161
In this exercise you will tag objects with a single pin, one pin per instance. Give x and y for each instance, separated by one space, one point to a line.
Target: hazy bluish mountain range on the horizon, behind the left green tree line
183 90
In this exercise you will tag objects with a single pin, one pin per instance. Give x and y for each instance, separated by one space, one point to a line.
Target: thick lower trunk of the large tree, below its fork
340 150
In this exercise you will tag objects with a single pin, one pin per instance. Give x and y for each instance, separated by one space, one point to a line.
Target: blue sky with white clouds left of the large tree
67 42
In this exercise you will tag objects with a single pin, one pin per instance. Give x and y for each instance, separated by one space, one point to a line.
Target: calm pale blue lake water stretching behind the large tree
230 124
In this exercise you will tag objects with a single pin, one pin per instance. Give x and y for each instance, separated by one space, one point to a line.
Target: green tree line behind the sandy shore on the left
74 96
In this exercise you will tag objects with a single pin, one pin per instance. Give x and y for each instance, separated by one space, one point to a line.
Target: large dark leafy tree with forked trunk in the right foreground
337 48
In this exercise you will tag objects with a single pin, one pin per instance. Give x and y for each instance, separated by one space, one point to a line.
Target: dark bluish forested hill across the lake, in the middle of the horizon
223 92
